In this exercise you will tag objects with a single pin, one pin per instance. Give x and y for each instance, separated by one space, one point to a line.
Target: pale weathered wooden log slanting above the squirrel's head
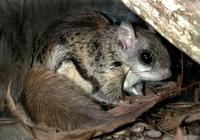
176 20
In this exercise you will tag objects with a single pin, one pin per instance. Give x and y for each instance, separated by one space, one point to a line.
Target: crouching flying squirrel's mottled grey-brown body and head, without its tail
103 54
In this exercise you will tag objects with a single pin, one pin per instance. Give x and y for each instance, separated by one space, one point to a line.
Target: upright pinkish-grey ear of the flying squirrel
126 35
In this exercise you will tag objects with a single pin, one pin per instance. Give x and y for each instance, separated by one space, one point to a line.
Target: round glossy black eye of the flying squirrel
146 57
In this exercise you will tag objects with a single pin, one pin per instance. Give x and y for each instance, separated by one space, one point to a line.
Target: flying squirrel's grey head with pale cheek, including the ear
144 53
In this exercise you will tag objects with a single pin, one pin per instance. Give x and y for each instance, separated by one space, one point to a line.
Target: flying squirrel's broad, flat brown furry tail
52 99
